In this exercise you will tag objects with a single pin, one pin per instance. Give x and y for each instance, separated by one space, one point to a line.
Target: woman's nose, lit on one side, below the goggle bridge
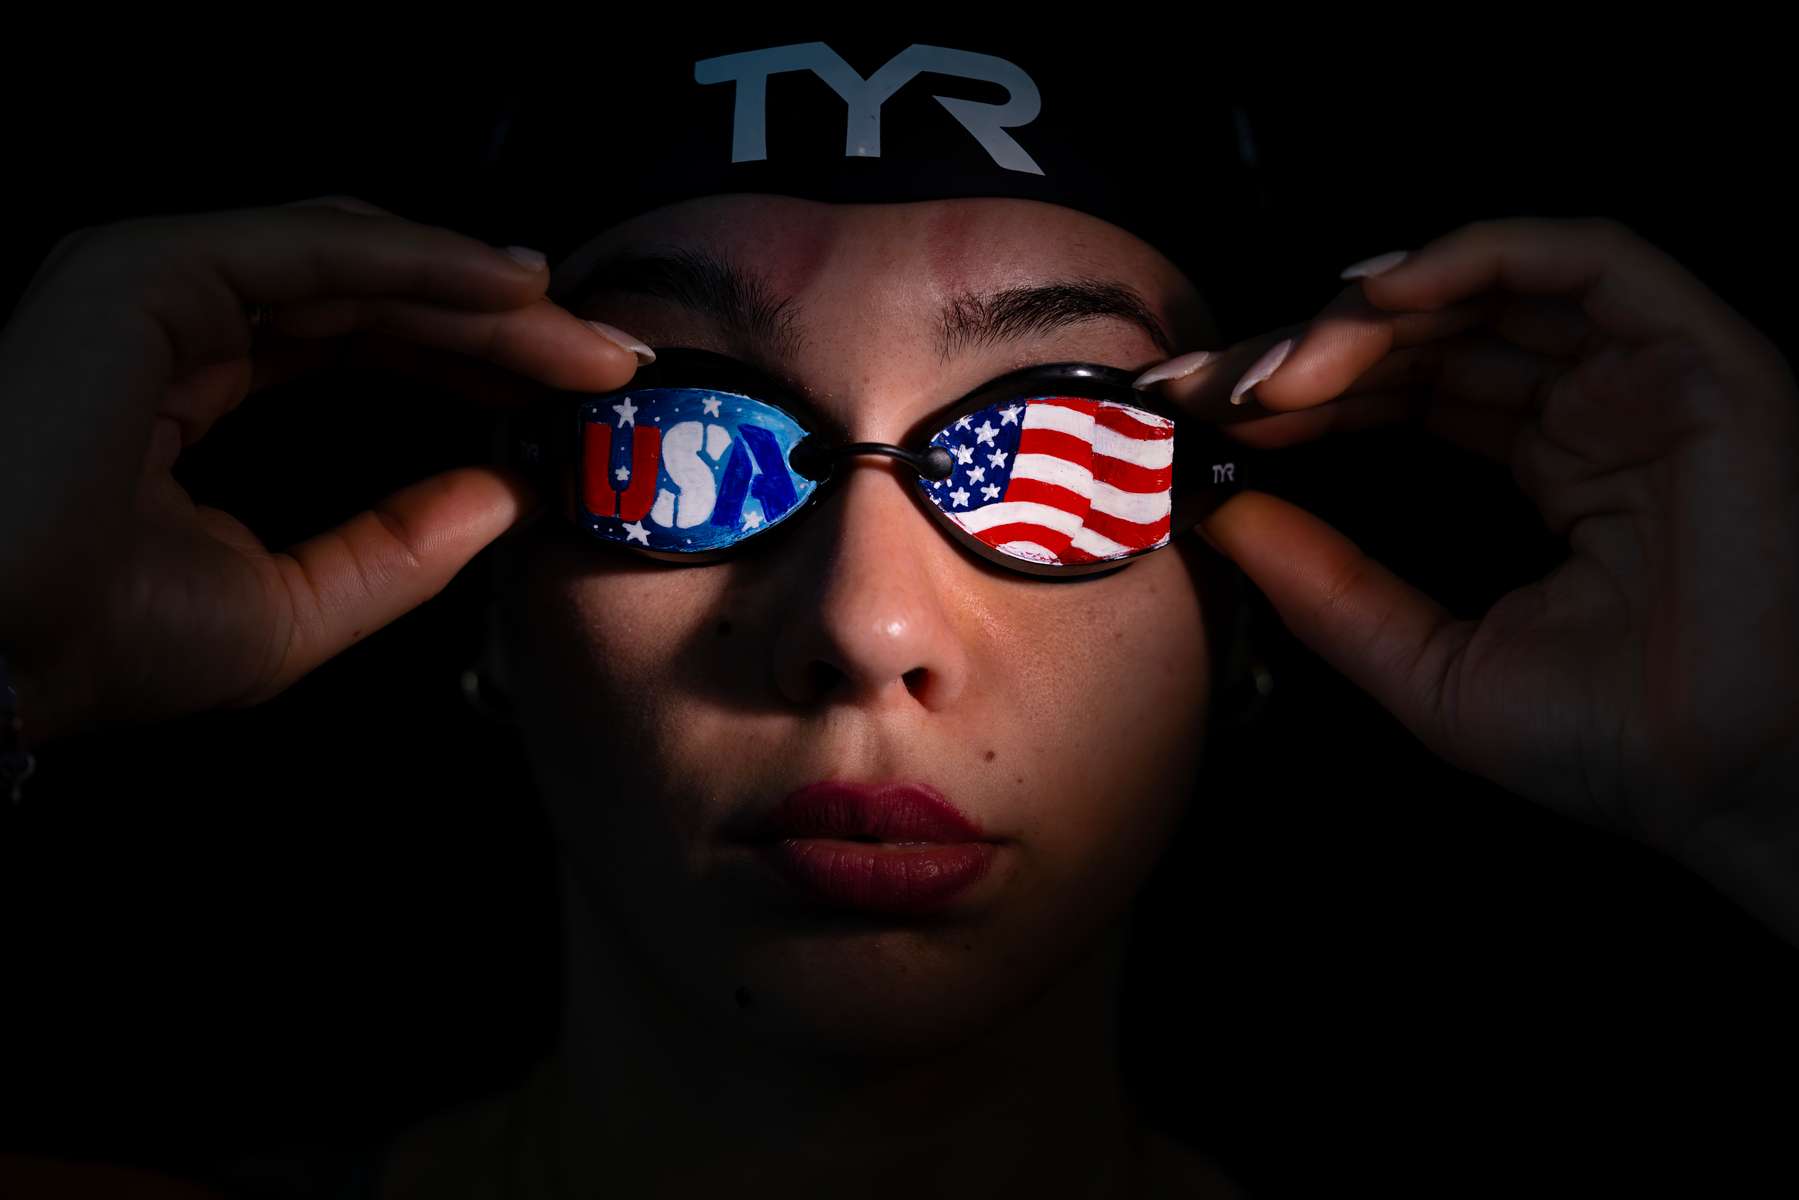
864 593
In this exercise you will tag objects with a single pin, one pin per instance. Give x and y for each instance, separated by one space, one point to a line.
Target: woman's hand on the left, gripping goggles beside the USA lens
127 602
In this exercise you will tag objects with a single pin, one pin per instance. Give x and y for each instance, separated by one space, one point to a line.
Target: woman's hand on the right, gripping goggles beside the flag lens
1651 685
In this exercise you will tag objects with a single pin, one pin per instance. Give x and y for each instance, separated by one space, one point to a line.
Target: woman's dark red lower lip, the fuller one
881 877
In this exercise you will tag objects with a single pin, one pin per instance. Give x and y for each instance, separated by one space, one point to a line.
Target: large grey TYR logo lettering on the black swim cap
989 123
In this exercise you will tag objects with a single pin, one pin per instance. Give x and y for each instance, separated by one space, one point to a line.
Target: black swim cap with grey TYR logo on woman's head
927 112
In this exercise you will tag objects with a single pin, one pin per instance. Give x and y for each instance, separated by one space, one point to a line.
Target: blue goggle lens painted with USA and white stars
688 470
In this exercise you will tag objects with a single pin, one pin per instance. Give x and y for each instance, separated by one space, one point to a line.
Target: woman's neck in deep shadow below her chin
650 1095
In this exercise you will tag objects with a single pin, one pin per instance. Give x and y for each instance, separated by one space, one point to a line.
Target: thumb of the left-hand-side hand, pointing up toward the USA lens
382 564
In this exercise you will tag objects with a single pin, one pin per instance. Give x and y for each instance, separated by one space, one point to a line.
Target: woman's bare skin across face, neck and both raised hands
717 1035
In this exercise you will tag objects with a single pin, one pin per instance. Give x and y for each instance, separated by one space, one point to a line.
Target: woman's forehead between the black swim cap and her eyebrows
936 247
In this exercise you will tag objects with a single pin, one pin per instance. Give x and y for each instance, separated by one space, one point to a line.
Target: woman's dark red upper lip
888 812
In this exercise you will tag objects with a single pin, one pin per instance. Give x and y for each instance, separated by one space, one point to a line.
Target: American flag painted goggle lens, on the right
1061 479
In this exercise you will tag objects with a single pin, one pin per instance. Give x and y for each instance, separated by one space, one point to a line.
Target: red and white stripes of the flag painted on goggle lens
1093 479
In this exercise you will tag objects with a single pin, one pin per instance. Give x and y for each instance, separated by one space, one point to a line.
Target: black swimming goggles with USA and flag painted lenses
1050 470
